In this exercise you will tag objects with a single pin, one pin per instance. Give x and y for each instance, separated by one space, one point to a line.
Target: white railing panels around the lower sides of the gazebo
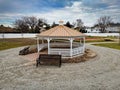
64 50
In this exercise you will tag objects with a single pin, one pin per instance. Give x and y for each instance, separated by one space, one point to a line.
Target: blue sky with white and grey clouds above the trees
54 10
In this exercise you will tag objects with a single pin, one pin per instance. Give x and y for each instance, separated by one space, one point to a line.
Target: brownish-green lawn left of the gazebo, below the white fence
12 43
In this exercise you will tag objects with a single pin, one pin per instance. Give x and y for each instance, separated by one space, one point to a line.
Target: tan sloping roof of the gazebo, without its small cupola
60 31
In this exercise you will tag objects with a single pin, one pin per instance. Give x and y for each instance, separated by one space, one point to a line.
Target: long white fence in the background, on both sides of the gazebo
31 35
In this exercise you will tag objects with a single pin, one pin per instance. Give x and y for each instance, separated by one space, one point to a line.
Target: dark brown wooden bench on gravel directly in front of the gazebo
49 59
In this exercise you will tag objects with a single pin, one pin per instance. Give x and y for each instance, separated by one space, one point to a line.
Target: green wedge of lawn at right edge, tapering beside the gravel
109 45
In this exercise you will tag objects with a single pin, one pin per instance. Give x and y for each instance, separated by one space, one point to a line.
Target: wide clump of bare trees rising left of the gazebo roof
30 24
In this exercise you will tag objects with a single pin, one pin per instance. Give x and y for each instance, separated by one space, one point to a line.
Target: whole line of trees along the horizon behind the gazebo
31 24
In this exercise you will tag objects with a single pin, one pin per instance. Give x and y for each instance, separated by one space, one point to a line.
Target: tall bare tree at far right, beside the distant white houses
104 22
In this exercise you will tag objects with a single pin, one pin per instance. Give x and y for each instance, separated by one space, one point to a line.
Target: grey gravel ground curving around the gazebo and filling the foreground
100 73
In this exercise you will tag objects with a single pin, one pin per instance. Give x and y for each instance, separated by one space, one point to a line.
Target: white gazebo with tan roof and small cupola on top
60 40
